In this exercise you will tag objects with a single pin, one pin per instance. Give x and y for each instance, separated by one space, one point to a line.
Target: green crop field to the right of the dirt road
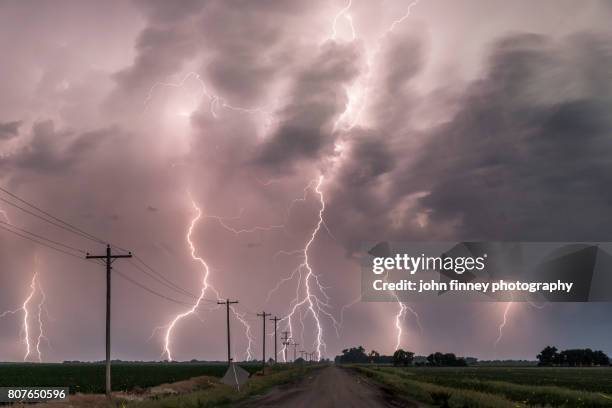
488 387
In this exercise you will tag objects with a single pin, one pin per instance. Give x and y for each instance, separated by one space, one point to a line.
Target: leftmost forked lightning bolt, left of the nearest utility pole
35 288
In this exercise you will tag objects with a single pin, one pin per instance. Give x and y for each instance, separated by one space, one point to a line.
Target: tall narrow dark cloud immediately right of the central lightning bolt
368 193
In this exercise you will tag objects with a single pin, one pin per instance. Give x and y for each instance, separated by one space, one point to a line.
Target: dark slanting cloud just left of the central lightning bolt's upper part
317 98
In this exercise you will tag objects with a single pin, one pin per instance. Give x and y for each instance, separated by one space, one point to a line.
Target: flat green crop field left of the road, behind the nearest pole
89 378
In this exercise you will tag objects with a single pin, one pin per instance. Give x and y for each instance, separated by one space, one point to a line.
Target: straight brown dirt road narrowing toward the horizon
326 388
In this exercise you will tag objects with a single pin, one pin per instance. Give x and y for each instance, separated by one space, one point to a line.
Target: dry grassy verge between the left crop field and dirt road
223 395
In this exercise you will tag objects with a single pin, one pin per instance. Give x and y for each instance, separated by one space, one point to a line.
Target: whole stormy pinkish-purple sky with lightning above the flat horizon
259 144
